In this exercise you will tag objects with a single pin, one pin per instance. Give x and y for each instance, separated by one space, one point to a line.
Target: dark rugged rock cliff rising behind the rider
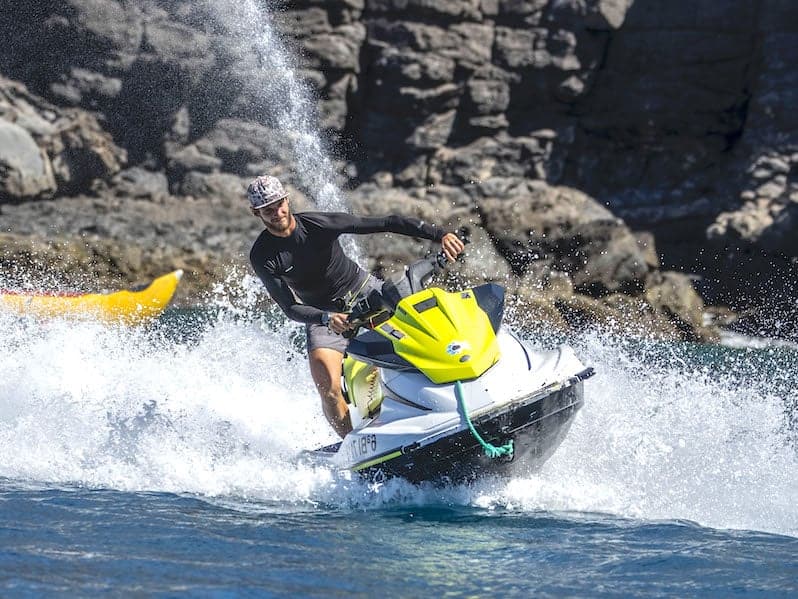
549 129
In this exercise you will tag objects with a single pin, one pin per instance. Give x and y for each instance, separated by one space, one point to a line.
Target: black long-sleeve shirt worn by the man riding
309 265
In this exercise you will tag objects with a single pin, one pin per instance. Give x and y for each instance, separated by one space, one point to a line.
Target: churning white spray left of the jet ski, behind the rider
128 409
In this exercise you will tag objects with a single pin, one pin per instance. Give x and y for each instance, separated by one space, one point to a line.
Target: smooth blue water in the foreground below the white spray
82 541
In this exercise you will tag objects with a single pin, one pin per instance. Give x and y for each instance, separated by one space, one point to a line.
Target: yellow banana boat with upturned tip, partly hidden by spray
128 306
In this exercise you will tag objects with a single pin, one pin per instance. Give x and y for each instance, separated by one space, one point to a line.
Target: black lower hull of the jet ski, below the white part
537 427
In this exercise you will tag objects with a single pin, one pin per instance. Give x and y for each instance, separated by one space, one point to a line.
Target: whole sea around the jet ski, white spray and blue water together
162 461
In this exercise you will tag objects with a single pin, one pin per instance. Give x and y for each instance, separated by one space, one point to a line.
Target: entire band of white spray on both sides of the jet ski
226 414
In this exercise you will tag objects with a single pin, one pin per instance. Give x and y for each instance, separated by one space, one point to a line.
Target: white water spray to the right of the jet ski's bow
661 438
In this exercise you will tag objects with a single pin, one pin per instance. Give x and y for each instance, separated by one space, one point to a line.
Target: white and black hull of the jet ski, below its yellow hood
529 396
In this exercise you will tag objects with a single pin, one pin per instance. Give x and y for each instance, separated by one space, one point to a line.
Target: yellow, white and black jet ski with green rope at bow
439 390
